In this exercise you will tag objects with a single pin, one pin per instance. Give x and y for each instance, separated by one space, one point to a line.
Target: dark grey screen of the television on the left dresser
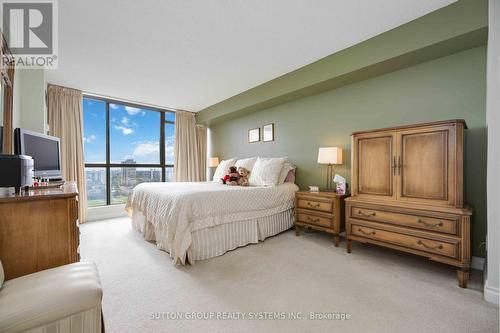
45 152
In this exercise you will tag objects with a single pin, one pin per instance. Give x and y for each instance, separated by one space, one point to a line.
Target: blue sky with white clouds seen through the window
134 133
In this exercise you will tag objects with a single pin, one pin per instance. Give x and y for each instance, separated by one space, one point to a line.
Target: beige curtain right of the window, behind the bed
190 148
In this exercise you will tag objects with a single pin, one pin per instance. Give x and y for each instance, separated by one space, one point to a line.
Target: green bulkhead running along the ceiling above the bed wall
439 32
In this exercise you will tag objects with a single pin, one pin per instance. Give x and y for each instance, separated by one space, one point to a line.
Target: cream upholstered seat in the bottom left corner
62 299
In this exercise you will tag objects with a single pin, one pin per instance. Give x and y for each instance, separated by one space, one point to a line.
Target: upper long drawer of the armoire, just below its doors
448 226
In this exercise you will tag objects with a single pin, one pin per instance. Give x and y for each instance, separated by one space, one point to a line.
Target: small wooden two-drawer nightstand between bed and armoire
322 211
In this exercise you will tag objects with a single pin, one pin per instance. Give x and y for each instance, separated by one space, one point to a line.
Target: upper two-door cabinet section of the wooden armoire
412 164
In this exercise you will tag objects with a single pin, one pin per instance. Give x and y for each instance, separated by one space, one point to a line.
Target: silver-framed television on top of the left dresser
45 150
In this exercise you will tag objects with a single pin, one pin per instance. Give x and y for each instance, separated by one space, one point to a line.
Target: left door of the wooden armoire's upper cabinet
373 165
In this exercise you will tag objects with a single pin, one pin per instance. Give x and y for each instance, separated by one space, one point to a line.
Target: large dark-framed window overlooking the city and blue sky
124 145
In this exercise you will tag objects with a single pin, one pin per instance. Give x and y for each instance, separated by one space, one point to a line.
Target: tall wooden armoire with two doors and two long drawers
407 192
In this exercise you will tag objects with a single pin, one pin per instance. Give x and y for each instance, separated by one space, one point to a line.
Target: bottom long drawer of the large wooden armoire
444 248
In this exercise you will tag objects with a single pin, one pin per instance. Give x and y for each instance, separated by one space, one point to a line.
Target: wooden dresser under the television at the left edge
38 231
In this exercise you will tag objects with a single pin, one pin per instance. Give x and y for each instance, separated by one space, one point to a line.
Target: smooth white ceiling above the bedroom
190 54
